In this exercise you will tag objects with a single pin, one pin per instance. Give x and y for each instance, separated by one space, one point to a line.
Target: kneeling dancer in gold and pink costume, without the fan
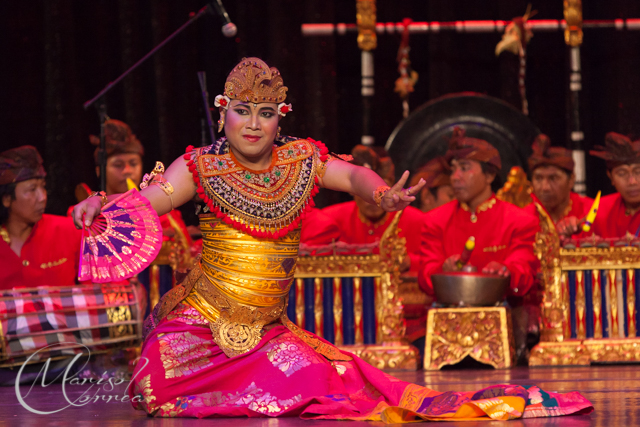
220 344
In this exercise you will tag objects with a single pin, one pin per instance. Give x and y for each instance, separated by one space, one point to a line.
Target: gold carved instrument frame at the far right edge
556 347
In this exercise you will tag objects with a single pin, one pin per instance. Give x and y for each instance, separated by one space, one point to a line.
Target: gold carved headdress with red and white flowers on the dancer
252 80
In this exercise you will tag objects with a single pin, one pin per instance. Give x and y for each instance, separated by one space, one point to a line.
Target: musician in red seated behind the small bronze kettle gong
504 234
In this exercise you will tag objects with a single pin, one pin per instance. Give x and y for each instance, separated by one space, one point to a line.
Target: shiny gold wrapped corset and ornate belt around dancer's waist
248 283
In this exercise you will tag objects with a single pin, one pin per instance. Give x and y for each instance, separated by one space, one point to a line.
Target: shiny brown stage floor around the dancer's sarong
614 391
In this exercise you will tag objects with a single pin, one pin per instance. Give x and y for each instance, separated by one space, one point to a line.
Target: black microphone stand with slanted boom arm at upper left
100 103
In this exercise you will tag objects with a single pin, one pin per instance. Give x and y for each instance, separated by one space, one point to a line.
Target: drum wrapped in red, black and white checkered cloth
58 322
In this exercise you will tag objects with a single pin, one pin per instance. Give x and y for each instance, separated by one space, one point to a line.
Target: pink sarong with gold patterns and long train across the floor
183 373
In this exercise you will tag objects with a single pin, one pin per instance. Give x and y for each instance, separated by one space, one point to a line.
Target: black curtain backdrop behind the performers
56 54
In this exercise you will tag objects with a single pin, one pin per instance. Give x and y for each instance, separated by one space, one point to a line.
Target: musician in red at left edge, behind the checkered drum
36 249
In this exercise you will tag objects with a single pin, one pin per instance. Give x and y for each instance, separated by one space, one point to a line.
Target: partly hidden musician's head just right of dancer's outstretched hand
437 190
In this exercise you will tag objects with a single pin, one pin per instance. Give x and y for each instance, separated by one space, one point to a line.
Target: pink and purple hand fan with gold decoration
122 240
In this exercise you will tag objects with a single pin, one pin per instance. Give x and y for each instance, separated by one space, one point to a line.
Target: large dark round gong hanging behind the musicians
425 133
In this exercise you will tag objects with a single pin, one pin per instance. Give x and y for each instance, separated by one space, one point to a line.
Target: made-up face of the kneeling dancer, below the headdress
251 129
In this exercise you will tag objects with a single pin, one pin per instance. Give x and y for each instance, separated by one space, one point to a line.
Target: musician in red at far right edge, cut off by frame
619 213
